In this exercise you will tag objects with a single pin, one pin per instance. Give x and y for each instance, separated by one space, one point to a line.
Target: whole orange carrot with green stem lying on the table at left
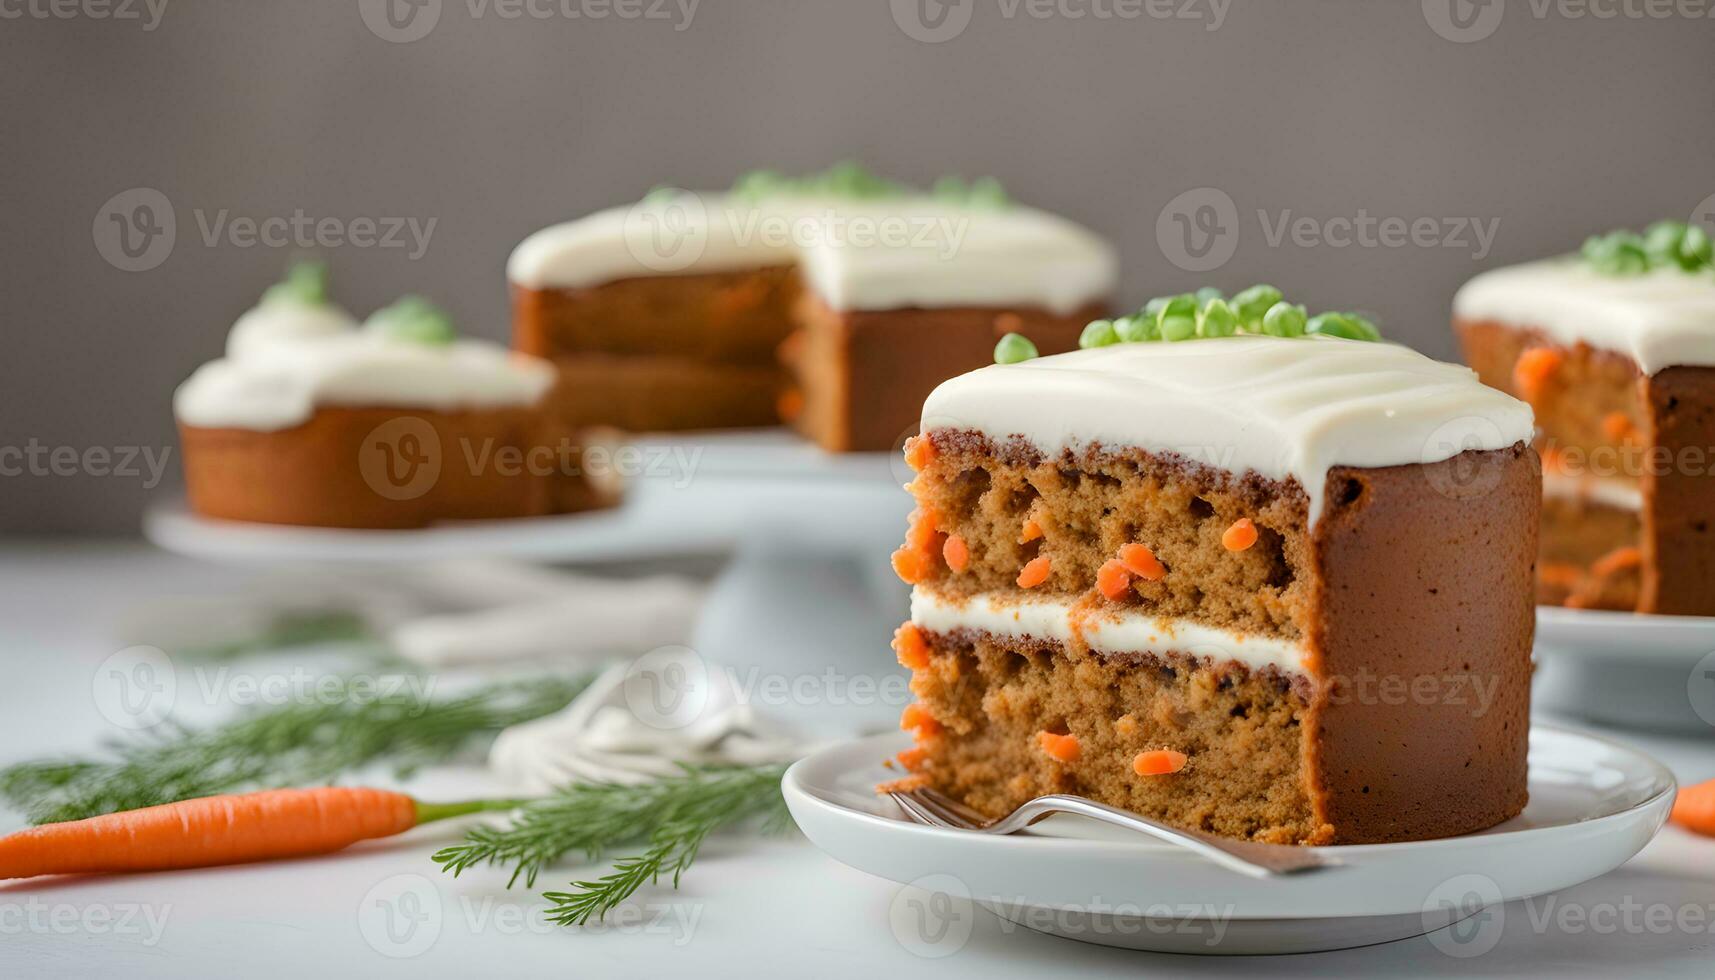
222 832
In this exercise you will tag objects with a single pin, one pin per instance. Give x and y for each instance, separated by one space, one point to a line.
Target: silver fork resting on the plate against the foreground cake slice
1246 857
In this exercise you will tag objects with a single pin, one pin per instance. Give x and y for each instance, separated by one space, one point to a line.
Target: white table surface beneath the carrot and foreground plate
749 909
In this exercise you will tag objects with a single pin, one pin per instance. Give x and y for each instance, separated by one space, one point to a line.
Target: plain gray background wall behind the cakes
1550 124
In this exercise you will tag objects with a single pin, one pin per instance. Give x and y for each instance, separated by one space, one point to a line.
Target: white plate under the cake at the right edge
1622 668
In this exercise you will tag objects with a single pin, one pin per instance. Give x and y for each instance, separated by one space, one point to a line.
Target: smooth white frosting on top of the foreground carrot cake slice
1285 409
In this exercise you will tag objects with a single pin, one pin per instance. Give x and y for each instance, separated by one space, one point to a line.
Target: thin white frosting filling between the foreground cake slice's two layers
1129 632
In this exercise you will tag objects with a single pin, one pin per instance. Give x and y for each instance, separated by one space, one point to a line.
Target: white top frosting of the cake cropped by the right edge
1661 318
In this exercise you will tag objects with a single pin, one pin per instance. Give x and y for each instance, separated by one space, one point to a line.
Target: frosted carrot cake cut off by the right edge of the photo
1616 353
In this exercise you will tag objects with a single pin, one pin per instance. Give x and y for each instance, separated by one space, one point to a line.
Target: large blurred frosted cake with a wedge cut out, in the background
834 301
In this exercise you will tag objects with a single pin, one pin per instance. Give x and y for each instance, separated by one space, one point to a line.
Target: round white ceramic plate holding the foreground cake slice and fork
1594 804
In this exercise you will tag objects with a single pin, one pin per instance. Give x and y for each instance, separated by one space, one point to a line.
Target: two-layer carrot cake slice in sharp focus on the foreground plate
1231 567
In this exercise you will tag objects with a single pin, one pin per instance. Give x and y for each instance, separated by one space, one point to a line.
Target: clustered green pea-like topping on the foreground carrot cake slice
1260 310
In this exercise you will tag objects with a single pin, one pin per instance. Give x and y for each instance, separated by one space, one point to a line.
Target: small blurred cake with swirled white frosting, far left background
313 420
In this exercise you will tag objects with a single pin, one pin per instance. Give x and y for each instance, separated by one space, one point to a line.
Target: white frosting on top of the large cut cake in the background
853 255
